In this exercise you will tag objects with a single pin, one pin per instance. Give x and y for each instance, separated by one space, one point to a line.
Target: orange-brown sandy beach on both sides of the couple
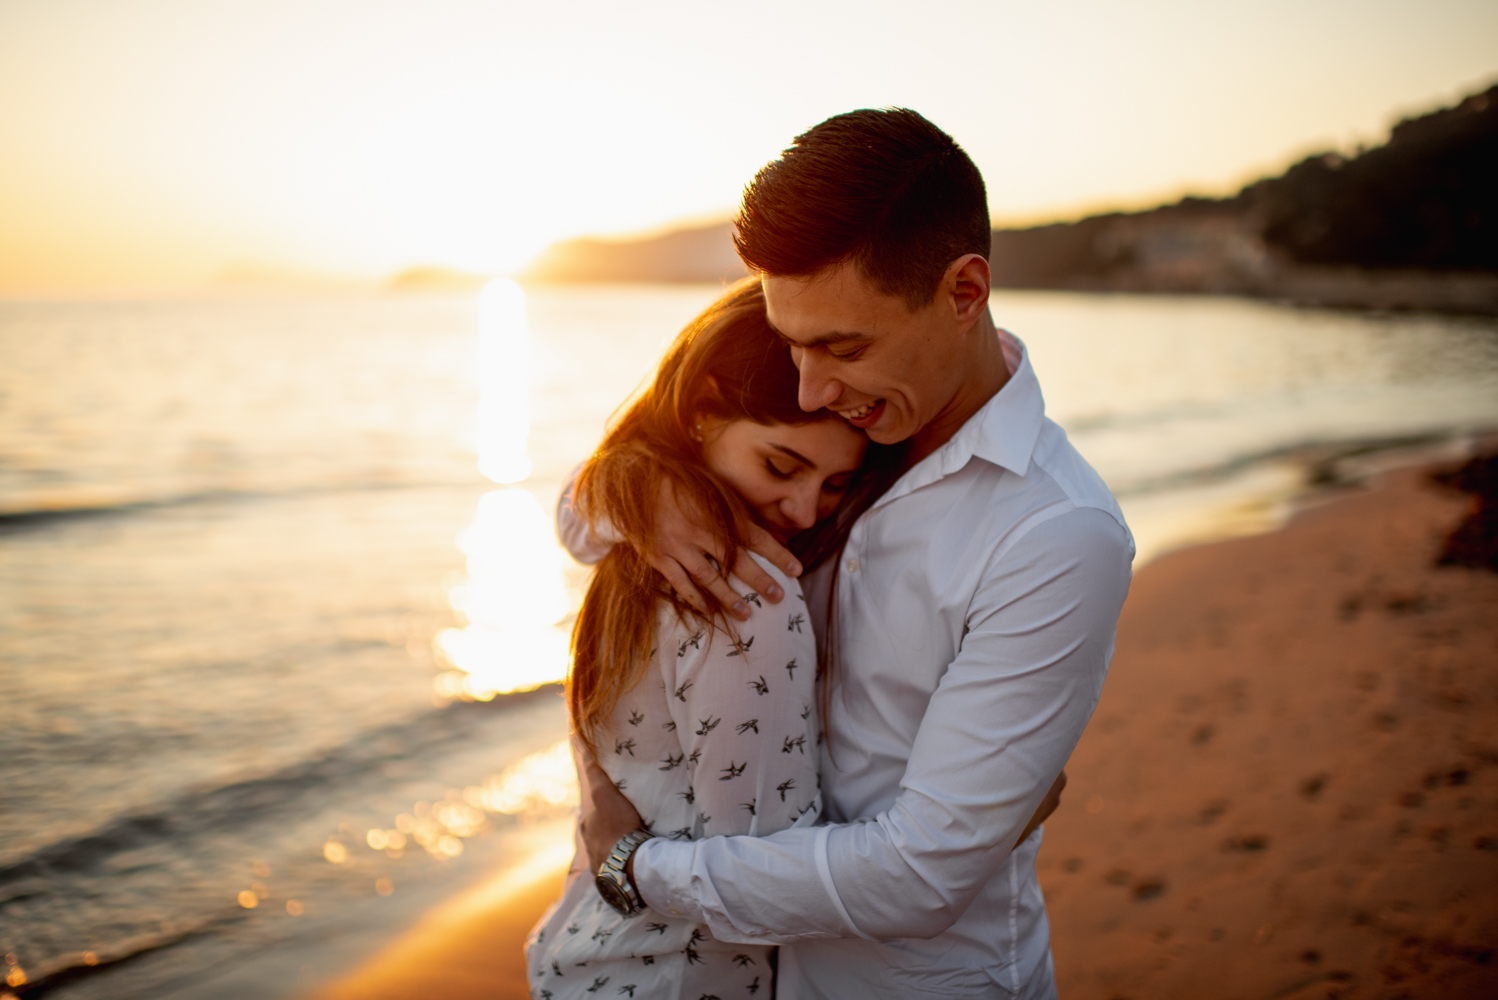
1289 791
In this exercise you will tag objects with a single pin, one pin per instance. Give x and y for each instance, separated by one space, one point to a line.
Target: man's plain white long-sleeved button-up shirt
976 607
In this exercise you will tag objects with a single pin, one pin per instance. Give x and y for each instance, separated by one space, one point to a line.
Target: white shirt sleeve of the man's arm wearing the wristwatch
997 733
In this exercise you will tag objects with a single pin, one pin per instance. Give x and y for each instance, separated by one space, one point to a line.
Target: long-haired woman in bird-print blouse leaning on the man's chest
709 727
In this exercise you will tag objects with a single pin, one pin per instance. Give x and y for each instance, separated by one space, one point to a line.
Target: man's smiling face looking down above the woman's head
867 356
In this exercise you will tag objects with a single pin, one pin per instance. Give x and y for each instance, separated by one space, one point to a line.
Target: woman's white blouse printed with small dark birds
718 739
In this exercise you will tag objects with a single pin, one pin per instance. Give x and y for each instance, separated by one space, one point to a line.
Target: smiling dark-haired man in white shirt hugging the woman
974 607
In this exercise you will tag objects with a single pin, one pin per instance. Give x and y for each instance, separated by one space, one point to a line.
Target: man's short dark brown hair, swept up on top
885 189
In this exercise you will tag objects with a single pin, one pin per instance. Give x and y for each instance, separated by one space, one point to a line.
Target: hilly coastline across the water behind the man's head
1409 225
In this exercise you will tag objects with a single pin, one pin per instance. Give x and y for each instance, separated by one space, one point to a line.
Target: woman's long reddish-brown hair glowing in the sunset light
729 365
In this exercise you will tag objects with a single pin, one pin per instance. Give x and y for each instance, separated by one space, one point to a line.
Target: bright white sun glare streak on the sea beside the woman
515 597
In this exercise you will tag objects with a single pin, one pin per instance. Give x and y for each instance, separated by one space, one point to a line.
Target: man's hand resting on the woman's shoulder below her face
688 558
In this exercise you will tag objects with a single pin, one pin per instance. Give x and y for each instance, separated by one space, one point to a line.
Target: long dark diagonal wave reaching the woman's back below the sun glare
254 799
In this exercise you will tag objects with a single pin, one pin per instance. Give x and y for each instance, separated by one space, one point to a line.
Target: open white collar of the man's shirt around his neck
1003 432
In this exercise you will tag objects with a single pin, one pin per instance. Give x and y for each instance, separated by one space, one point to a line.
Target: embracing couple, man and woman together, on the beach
856 600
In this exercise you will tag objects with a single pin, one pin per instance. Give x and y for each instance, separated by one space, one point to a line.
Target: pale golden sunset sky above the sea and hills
167 144
